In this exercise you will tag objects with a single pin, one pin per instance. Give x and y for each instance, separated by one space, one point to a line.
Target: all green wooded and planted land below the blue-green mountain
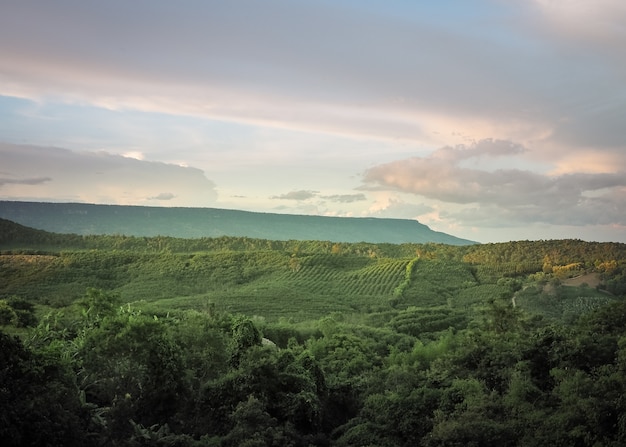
233 341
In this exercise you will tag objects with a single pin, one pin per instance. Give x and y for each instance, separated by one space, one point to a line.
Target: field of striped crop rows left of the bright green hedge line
320 285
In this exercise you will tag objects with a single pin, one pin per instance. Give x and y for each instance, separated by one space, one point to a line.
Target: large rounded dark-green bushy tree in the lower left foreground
131 364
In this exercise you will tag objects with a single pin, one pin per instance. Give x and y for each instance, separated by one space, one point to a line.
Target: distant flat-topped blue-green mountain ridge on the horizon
80 218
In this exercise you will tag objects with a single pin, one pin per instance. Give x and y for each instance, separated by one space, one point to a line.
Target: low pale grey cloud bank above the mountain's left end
99 177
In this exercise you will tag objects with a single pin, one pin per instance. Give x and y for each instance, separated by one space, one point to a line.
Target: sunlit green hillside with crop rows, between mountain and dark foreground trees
305 280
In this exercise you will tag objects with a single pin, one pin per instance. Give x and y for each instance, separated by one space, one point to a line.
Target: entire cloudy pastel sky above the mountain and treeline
492 120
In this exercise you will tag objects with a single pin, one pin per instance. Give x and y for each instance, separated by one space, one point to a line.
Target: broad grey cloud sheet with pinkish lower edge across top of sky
375 75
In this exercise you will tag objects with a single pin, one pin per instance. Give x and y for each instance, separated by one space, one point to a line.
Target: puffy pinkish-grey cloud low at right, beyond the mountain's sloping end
504 195
